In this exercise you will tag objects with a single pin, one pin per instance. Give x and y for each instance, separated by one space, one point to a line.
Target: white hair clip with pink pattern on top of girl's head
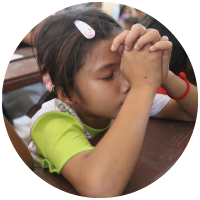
85 29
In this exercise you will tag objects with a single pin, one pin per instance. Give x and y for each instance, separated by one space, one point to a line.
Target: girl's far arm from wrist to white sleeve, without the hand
185 109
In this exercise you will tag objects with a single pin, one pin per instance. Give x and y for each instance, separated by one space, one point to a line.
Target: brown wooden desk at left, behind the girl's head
21 72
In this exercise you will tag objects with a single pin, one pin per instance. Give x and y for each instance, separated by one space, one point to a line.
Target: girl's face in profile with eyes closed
102 85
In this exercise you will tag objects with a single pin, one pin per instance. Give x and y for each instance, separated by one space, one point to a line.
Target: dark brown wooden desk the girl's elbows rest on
164 143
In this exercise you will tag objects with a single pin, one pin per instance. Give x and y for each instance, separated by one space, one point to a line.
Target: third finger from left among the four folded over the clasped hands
151 36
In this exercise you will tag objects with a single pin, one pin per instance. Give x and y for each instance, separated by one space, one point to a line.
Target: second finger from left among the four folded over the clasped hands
136 32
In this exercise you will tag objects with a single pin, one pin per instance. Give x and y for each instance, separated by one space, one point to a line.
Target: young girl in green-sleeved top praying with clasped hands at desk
90 86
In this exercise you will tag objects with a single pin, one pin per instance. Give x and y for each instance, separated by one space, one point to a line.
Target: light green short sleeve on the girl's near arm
58 137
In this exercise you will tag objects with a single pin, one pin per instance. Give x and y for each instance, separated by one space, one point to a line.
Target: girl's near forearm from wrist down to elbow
114 158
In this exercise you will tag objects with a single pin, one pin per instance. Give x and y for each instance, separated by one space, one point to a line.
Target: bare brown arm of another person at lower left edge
19 145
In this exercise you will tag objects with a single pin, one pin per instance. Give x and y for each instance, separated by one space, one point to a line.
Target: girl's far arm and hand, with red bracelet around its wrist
185 109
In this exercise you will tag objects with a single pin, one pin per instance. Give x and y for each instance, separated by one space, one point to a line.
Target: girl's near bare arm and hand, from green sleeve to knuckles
106 170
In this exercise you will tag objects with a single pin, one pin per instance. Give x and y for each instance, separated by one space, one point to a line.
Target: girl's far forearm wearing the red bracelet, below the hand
176 87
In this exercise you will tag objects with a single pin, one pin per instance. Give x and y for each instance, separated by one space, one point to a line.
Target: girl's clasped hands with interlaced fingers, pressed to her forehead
137 46
